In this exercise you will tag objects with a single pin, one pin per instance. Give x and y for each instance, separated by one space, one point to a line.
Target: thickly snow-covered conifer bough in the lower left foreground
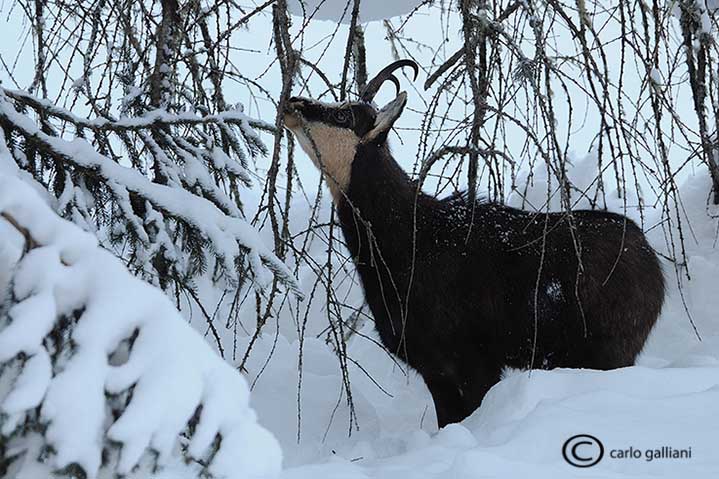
98 372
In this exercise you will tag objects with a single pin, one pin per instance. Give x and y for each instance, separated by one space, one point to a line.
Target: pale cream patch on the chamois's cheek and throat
336 148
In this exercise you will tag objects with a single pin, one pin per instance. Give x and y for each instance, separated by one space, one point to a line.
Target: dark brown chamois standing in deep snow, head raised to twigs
460 291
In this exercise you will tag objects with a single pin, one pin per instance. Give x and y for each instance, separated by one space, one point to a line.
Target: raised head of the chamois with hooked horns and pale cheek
330 132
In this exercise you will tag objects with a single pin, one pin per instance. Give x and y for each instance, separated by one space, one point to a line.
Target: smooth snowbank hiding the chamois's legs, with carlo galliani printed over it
520 429
